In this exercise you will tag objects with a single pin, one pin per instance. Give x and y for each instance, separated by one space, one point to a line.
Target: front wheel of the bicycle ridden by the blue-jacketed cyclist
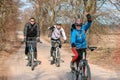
86 73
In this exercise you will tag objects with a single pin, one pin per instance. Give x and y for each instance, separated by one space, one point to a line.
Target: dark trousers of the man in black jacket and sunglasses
34 45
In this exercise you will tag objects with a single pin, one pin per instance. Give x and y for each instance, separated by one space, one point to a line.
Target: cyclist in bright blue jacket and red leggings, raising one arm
78 38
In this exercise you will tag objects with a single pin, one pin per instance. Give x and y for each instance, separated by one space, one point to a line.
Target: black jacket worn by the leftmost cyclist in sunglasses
32 30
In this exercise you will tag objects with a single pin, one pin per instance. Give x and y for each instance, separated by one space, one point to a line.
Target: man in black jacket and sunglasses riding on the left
31 30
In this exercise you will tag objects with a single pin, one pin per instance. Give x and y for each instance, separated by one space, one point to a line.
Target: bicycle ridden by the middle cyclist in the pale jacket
56 54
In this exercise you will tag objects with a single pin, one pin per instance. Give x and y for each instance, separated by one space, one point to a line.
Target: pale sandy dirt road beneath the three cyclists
17 69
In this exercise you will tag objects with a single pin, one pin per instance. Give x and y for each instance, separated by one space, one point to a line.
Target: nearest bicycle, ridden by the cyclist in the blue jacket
82 69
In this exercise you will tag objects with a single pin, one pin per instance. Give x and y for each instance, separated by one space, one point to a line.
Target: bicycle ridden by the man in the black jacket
31 43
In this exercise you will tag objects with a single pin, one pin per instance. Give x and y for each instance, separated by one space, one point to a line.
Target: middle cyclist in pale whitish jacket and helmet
56 32
